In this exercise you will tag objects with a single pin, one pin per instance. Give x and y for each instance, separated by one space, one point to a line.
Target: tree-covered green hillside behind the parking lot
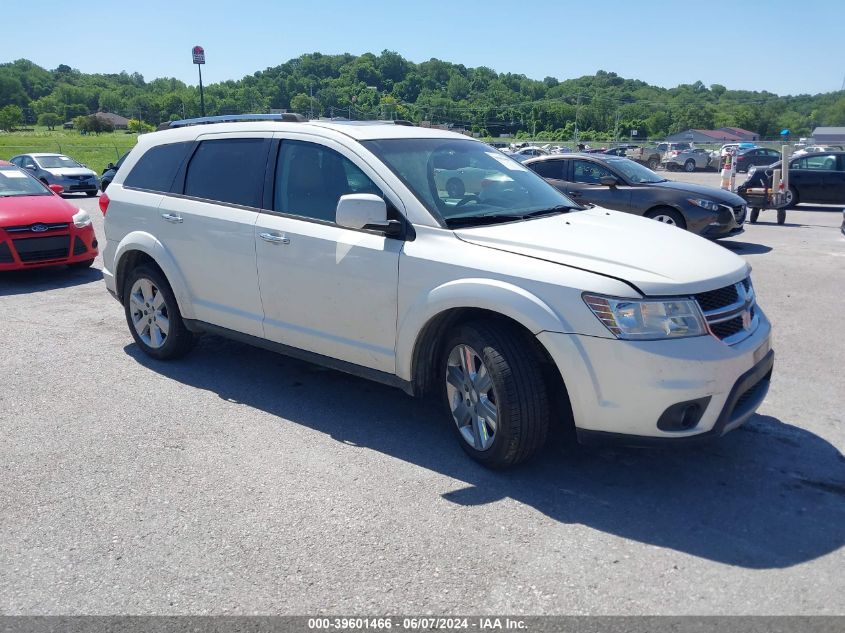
369 86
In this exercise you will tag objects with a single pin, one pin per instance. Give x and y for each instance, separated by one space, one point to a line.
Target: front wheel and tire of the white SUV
495 392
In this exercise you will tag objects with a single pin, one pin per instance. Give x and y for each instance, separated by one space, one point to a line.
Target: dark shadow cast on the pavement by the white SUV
768 495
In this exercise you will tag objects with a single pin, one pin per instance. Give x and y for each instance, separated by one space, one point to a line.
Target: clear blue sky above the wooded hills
661 42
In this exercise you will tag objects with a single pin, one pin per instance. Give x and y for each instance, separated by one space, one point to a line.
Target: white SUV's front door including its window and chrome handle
326 289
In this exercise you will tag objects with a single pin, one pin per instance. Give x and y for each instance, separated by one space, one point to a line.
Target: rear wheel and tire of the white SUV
153 315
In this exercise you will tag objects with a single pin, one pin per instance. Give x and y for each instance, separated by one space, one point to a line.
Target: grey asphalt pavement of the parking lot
238 481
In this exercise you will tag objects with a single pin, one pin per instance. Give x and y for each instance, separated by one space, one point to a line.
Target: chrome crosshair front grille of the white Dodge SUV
730 312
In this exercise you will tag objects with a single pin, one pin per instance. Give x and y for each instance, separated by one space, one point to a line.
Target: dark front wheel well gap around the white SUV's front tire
428 353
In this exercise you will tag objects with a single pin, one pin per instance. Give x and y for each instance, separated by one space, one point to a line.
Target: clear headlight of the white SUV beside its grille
643 319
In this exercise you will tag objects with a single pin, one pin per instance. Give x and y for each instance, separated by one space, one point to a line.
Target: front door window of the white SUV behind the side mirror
311 178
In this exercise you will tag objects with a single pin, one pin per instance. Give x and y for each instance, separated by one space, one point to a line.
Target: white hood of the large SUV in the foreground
656 258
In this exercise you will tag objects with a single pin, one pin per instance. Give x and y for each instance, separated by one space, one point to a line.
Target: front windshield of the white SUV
462 180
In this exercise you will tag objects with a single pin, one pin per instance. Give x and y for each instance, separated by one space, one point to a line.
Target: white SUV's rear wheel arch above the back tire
140 248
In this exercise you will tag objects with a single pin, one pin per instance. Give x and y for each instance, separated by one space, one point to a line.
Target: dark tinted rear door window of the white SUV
228 170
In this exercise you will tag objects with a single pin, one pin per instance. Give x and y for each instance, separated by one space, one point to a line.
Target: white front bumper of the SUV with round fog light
622 388
